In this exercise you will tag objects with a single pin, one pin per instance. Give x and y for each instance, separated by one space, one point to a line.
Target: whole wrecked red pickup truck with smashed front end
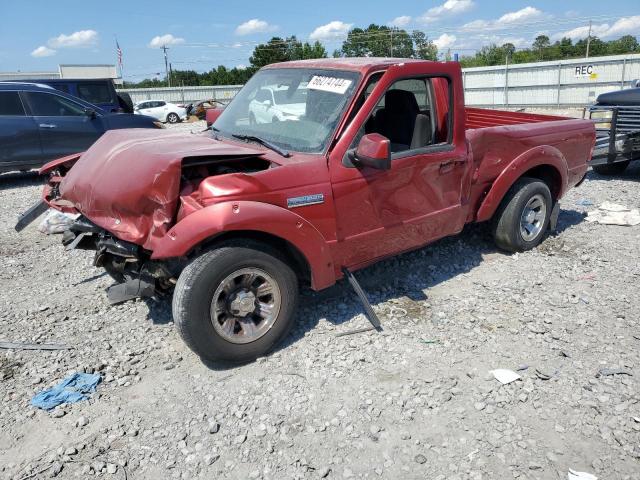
362 159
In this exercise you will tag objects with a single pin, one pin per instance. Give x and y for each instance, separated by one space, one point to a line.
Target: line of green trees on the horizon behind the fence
383 41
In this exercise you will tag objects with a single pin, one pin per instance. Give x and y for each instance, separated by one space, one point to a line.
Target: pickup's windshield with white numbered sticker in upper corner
294 108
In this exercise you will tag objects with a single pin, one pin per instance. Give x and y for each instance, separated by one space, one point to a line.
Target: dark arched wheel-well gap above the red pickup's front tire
291 254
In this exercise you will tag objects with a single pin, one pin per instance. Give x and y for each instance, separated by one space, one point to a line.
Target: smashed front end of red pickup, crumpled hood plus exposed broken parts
129 189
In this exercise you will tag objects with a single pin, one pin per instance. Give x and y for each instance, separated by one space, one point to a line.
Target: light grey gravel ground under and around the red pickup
415 401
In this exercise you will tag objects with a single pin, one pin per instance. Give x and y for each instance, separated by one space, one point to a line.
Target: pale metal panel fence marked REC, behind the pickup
566 83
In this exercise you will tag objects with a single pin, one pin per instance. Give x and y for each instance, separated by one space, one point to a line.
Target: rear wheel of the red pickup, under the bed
522 219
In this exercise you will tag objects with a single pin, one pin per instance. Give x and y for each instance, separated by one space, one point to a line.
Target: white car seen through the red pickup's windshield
274 104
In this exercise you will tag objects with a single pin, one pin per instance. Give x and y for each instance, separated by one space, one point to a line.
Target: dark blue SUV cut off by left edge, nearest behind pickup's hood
39 123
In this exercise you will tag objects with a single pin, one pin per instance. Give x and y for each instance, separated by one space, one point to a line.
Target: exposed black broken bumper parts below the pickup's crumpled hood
127 263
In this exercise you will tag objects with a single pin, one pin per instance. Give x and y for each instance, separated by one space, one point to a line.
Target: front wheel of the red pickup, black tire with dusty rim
235 302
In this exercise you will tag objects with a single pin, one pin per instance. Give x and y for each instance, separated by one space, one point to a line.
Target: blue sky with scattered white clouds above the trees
37 35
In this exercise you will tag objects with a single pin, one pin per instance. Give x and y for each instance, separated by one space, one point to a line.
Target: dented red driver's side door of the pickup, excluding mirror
420 198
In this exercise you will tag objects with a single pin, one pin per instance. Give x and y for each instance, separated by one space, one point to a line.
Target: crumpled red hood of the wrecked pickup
128 182
